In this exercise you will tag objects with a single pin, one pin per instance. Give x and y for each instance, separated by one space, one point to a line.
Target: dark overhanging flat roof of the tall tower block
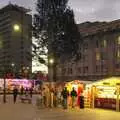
14 7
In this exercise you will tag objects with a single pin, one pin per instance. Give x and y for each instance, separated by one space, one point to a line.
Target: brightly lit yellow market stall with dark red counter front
104 93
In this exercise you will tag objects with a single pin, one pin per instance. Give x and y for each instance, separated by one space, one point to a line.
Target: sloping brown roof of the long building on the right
92 28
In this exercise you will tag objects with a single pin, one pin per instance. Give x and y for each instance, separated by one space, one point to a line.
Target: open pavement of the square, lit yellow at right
25 111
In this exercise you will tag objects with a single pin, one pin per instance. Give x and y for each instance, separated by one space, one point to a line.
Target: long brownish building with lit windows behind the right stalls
100 53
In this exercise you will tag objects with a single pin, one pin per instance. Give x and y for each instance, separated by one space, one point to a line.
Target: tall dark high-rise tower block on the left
15 38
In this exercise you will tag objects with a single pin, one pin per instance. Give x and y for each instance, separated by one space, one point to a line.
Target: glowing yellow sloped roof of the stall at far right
112 81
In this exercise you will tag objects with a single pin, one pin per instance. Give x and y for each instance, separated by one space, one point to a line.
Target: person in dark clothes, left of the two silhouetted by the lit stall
65 94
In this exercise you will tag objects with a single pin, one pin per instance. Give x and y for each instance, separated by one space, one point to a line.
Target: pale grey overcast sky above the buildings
85 10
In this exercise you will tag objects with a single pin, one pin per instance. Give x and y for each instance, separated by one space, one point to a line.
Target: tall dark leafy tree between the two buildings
54 29
